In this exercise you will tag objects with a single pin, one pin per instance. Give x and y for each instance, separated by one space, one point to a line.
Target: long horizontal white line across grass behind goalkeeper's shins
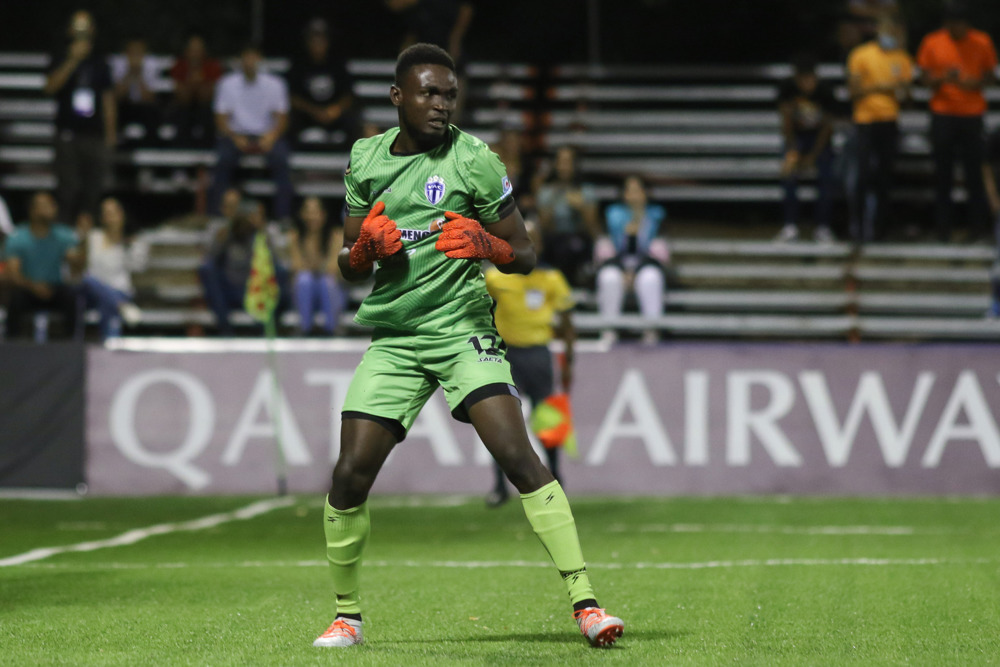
495 564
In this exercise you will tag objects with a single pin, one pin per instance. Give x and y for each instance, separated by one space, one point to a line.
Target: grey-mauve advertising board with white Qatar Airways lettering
669 420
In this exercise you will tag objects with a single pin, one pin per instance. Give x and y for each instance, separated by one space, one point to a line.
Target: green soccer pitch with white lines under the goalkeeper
761 581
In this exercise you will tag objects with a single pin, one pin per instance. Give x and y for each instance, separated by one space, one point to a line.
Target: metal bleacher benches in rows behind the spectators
701 135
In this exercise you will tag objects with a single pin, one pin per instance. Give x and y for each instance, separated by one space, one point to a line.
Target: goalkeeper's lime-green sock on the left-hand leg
346 534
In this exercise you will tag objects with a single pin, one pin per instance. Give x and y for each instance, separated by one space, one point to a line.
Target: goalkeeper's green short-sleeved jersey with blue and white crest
420 289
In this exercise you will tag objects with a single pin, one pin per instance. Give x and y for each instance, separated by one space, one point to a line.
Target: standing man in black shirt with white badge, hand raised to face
86 119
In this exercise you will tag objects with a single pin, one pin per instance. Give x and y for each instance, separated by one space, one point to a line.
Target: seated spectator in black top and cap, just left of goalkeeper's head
322 92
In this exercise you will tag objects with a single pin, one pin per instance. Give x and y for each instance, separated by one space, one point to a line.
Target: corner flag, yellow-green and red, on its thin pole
260 303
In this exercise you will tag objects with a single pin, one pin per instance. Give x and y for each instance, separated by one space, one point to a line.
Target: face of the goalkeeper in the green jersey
426 100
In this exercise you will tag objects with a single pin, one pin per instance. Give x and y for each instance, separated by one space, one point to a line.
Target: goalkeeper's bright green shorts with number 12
399 372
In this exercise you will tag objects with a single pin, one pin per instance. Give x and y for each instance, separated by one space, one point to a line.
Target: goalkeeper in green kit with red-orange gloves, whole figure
427 204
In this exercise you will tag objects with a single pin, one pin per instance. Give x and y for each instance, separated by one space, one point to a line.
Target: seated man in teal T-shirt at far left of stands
39 254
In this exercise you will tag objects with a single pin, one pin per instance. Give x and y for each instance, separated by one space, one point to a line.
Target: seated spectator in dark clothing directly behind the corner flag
226 268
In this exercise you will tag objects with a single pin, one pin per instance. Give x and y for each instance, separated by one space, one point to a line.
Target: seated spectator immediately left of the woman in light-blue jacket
568 215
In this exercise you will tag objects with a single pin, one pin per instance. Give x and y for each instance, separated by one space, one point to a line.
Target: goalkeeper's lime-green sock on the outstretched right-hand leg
549 514
